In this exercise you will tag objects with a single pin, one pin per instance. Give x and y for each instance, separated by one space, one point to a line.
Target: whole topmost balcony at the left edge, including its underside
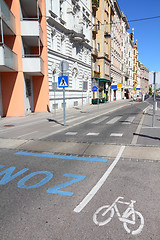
9 25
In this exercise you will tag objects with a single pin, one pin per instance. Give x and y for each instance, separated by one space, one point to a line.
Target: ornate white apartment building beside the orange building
69 39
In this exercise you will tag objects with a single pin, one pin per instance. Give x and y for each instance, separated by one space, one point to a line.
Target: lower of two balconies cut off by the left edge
8 60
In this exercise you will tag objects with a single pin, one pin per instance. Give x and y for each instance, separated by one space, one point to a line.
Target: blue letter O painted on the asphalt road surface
21 183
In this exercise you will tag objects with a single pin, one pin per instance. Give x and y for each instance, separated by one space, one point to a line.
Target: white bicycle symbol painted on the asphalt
128 217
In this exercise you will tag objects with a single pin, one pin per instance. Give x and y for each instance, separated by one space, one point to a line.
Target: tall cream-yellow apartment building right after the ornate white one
103 38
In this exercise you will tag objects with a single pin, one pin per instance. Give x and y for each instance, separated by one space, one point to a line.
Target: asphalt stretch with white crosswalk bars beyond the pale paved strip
114 128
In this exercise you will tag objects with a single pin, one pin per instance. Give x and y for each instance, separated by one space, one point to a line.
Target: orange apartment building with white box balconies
23 57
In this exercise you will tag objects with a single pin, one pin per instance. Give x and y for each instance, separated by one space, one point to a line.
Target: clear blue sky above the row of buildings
147 33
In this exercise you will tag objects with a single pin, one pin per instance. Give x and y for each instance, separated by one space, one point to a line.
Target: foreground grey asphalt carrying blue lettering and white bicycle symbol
40 202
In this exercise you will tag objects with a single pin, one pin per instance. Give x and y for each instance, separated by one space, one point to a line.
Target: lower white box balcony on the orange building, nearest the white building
33 65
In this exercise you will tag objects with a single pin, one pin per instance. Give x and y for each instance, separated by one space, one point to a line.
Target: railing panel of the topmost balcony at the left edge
7 16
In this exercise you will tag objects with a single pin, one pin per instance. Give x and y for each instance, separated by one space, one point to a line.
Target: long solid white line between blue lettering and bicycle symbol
99 184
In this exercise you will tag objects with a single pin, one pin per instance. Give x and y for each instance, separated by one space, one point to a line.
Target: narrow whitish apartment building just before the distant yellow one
127 60
